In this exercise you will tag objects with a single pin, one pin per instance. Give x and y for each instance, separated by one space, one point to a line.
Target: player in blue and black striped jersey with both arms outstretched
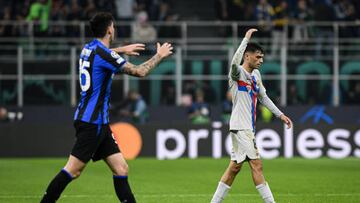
94 139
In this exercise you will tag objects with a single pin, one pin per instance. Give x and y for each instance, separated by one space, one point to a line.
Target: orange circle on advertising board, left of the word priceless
128 139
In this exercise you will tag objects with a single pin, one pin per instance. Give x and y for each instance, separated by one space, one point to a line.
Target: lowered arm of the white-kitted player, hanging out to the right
266 101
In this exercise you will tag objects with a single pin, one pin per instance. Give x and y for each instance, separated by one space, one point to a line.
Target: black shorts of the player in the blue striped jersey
93 141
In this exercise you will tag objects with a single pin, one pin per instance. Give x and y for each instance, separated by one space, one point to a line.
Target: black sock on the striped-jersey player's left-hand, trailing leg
57 186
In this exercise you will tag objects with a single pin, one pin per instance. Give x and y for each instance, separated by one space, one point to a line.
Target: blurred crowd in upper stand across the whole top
271 17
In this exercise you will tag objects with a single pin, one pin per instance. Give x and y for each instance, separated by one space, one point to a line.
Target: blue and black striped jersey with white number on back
97 66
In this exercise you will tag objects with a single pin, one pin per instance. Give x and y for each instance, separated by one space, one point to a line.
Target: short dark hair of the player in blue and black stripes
100 22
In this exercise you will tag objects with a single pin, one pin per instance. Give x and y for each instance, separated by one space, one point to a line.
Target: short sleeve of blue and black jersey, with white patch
109 60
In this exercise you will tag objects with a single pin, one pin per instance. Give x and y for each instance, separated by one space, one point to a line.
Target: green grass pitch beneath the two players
187 181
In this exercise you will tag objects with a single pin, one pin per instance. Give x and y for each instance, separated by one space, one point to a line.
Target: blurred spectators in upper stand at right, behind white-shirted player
272 16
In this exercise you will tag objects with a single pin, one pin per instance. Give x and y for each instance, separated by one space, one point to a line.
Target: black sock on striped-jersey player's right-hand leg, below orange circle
123 190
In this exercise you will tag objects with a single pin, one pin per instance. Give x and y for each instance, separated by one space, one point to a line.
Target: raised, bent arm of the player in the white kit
236 60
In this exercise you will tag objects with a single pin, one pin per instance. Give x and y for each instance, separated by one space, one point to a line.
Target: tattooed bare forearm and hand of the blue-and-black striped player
144 69
